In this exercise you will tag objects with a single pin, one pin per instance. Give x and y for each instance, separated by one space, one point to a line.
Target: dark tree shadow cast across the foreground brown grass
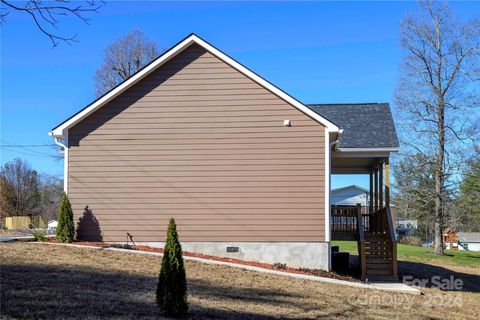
46 291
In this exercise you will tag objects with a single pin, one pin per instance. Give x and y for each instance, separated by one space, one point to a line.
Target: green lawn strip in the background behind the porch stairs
424 255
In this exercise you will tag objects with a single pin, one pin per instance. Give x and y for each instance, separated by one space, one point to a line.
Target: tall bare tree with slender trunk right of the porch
438 93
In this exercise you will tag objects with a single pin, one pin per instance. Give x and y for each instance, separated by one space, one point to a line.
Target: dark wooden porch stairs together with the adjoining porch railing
377 245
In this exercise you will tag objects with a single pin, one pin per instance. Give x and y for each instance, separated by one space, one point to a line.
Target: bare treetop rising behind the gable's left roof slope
123 58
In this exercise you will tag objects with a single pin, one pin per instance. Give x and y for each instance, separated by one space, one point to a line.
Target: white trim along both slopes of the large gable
60 130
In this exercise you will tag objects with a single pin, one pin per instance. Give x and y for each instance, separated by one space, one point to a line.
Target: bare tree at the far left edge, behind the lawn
19 189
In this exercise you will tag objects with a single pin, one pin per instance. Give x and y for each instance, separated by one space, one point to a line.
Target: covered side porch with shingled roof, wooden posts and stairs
363 146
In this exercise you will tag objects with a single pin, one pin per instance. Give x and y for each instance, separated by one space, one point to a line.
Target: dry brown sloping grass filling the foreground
48 281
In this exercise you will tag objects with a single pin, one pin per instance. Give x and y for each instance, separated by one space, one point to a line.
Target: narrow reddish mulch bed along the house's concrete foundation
286 269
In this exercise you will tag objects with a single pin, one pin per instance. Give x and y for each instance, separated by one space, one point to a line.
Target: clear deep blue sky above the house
319 52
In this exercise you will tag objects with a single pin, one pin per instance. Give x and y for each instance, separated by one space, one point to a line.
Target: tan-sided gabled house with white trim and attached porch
242 166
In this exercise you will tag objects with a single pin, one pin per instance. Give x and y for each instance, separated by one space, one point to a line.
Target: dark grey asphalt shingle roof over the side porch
367 125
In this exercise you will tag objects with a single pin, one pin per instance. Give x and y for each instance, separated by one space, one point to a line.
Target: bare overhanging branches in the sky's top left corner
45 15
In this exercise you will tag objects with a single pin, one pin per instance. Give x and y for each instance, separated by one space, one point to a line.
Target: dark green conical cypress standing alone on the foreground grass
172 281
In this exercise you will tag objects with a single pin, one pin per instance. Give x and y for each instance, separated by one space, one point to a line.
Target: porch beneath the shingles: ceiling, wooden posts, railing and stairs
370 223
